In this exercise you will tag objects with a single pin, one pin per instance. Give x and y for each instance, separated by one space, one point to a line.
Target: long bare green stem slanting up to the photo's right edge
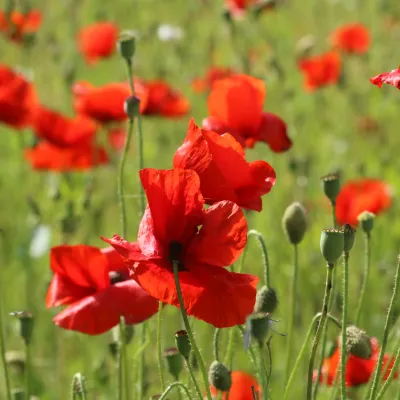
389 317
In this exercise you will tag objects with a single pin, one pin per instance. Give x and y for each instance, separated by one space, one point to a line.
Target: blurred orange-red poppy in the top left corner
17 25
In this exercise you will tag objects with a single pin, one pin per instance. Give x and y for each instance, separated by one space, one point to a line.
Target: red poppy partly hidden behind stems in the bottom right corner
358 370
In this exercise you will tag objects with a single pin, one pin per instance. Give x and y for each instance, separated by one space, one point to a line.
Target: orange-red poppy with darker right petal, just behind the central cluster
235 105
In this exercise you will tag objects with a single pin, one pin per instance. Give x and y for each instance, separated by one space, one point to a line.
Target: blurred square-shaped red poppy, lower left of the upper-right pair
320 71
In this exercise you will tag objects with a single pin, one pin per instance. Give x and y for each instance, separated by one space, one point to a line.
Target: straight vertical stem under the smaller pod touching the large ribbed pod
343 351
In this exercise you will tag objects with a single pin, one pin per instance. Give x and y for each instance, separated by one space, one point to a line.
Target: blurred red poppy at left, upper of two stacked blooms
63 131
